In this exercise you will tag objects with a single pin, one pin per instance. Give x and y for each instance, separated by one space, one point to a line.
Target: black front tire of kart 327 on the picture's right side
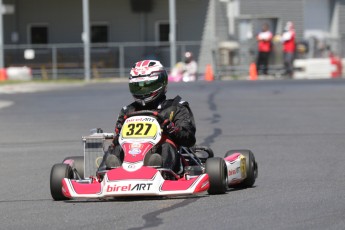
217 173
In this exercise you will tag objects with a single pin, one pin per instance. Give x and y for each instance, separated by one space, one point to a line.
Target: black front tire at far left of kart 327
58 172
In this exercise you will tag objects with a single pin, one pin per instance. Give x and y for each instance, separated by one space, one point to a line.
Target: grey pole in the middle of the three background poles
86 39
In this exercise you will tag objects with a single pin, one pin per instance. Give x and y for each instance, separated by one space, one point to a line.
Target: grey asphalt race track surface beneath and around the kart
296 130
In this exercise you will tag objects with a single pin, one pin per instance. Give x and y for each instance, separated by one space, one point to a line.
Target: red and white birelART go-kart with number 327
200 171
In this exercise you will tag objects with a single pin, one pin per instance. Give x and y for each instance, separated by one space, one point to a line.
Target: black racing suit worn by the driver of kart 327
176 111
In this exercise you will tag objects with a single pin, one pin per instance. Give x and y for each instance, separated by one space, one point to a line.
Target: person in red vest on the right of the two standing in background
288 39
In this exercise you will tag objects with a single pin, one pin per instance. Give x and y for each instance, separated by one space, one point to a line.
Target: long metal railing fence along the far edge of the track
53 61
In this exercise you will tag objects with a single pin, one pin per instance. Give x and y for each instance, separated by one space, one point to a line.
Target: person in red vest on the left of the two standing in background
264 39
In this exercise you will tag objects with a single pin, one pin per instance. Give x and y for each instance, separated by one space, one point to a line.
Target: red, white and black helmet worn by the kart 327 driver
148 81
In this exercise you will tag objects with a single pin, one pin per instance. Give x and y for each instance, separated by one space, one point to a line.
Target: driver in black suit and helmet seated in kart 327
148 82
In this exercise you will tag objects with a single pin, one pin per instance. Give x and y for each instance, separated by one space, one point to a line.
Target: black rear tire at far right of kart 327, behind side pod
251 168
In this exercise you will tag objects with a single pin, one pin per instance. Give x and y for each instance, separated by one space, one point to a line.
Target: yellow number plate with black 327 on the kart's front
139 130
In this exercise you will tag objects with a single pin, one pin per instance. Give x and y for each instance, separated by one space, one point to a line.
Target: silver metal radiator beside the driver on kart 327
93 153
